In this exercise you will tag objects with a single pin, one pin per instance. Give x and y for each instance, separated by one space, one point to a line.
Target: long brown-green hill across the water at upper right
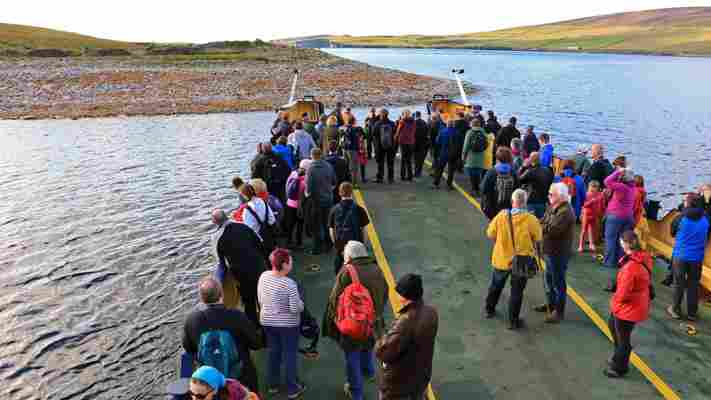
676 31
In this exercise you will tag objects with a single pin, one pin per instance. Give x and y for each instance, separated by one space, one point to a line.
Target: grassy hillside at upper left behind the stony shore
22 38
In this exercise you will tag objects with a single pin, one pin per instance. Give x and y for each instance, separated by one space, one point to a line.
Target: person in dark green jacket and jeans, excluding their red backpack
359 267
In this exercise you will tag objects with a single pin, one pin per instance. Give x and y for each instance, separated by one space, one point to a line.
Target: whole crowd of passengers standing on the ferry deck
302 183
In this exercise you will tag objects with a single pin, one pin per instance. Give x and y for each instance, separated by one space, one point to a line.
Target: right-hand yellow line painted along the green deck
661 386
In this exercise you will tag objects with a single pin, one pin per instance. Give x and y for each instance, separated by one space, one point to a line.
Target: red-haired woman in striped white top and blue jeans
280 315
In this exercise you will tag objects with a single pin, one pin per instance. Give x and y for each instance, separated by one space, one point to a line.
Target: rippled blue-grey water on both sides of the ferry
105 223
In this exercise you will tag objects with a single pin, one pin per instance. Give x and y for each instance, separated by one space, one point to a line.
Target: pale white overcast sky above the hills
203 21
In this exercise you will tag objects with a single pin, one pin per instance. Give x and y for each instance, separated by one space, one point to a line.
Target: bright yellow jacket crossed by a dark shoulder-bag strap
528 231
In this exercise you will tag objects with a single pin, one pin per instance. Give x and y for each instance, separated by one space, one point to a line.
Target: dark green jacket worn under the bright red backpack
372 278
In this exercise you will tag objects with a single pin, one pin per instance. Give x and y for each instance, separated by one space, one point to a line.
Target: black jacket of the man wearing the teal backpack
218 317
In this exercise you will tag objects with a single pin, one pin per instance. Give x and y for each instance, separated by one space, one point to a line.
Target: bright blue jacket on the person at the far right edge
691 236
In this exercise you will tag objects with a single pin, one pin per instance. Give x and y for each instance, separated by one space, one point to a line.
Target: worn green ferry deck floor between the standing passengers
440 235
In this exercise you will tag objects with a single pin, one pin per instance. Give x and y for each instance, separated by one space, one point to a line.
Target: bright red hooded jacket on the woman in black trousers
631 299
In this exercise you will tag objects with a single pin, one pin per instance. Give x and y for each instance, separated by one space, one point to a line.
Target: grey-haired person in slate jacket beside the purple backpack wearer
320 181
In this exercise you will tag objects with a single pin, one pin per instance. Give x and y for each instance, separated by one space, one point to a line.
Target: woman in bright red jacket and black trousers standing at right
630 303
